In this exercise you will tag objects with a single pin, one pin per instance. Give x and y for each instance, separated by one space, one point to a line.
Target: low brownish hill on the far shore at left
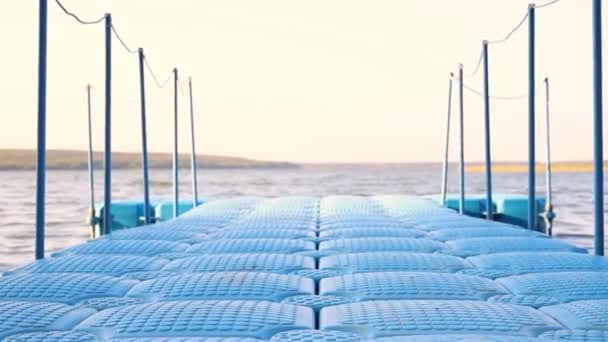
15 159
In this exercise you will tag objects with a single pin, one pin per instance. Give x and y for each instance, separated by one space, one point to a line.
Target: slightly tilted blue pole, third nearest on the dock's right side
486 96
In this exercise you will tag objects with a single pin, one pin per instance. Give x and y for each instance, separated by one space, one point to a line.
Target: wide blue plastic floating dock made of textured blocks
385 268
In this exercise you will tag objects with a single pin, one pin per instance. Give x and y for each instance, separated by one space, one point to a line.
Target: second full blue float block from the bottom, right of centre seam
409 285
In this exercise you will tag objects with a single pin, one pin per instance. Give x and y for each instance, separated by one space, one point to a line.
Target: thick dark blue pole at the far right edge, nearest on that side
598 152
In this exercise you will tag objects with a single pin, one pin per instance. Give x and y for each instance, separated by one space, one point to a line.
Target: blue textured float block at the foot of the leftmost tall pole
113 265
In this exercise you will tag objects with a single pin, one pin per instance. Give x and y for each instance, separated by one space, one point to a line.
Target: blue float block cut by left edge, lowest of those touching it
23 317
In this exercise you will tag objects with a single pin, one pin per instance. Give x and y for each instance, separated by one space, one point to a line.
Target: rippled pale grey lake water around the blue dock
68 196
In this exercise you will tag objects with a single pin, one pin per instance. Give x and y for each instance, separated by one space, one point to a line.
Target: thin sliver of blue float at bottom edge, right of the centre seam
461 338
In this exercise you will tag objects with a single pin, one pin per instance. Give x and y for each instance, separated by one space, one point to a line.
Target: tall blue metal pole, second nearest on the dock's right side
531 119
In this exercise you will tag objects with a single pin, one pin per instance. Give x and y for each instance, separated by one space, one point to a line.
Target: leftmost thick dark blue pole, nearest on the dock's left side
41 146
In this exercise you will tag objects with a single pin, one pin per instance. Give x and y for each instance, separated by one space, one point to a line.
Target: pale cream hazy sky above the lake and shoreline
304 81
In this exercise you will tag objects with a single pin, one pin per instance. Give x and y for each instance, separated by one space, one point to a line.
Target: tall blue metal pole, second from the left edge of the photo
107 189
